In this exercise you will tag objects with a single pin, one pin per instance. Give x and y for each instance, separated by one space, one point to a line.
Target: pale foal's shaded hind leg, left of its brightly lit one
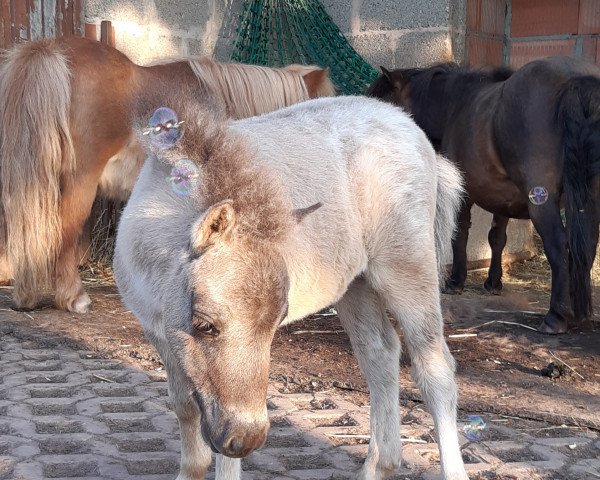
377 349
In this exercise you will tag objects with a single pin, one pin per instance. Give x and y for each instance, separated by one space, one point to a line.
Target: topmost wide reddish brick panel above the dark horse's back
544 17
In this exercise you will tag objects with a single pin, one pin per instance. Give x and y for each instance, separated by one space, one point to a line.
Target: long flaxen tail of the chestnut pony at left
35 151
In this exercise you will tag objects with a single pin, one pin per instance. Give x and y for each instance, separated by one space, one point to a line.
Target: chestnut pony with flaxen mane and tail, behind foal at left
66 109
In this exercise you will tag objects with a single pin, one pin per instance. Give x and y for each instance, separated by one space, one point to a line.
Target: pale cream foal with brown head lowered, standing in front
333 201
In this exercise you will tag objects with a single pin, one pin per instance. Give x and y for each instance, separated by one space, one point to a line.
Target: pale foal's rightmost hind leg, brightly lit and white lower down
412 297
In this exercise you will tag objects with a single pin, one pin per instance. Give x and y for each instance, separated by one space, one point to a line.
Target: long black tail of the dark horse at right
579 117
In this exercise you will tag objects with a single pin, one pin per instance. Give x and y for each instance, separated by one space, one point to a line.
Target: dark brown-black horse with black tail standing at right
527 142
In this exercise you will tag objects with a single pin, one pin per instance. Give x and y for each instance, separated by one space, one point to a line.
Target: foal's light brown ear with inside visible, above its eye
215 225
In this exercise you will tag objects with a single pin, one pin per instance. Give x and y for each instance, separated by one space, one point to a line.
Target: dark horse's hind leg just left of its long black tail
547 221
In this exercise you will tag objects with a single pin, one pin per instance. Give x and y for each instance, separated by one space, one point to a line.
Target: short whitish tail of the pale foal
450 191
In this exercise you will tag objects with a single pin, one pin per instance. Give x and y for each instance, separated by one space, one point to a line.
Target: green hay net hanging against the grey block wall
280 32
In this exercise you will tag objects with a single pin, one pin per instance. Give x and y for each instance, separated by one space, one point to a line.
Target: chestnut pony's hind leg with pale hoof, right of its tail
77 197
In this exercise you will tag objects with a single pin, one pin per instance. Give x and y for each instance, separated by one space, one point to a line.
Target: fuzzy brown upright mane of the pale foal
227 171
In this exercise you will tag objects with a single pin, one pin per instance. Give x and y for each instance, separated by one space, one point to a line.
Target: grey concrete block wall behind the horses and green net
392 33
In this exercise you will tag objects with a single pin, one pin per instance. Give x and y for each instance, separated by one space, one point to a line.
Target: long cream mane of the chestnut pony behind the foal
248 90
